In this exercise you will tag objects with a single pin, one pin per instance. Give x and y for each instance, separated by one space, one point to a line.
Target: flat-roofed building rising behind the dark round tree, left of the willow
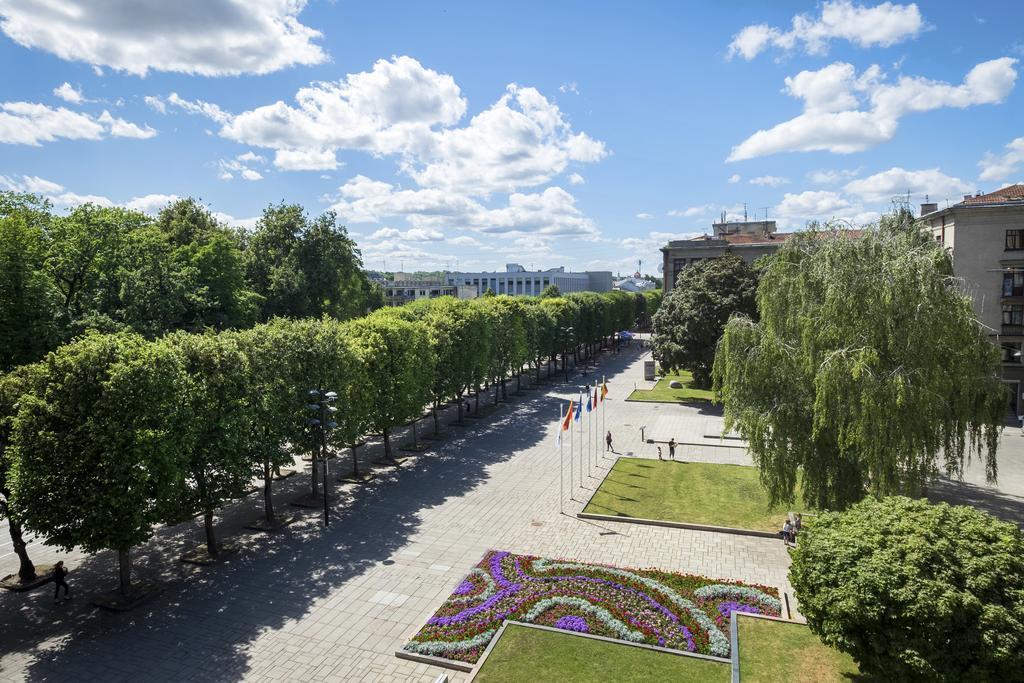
749 240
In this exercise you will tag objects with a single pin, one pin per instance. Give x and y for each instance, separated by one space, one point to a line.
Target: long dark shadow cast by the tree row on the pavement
206 622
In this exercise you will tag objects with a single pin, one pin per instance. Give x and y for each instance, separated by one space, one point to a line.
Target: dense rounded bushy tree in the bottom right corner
916 592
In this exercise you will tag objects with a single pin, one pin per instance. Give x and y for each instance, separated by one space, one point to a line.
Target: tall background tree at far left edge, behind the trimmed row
29 301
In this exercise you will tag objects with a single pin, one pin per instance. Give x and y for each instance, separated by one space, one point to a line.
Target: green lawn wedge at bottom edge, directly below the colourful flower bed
532 655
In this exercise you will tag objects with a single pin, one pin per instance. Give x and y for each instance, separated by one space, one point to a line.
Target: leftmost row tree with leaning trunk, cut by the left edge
14 386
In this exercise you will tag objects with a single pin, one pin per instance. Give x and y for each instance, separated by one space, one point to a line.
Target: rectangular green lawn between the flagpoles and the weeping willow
695 493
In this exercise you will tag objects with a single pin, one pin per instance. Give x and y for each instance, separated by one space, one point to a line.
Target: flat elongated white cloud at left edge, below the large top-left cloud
31 123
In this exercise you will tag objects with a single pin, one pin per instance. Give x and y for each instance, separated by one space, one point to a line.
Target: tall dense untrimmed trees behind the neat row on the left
111 269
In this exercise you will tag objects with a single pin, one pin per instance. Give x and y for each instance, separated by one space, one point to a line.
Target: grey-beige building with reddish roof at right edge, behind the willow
986 236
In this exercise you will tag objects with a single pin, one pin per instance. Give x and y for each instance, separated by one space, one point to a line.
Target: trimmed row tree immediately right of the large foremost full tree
214 443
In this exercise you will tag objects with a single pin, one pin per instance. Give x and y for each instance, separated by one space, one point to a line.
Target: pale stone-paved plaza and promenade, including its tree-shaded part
335 605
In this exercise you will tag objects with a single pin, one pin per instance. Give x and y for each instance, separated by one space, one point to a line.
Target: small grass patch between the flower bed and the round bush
780 653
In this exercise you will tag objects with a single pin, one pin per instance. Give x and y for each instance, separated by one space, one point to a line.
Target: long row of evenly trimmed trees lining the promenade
114 434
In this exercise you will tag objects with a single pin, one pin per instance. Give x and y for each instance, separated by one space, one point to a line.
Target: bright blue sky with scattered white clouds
473 135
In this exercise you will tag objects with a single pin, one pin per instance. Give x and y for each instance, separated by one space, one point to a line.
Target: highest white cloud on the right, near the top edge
883 25
